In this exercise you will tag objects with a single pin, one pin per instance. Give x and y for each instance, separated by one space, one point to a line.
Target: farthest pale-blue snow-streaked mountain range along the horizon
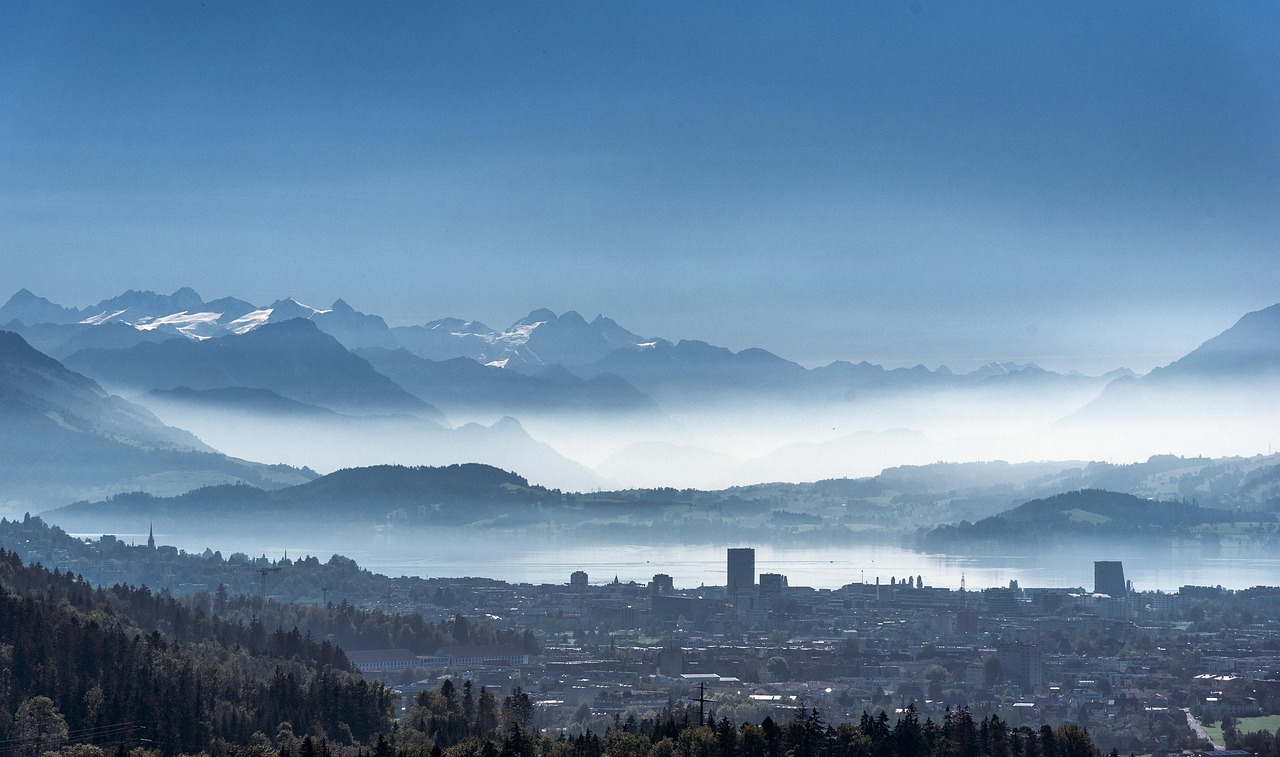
670 371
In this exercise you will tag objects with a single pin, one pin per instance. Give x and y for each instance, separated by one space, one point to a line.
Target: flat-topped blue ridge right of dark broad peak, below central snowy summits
464 386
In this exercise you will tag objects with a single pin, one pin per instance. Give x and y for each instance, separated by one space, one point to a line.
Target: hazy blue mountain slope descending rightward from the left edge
63 437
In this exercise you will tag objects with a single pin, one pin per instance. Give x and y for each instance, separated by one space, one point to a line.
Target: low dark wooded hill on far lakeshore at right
1098 516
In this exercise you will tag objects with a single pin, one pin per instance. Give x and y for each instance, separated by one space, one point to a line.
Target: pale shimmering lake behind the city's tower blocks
693 566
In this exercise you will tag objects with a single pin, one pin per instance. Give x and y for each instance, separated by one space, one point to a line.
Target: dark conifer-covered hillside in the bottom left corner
124 667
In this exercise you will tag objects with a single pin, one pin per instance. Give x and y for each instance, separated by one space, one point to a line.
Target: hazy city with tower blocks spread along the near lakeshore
1145 672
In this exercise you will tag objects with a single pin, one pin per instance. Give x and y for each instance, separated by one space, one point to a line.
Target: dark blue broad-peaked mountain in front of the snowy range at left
294 359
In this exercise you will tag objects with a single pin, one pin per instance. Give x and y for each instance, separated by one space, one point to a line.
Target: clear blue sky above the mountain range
1081 185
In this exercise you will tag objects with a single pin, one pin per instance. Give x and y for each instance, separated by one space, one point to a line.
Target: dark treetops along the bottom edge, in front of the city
451 723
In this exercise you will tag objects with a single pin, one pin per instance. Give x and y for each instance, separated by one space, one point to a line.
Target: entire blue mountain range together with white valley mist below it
584 404
